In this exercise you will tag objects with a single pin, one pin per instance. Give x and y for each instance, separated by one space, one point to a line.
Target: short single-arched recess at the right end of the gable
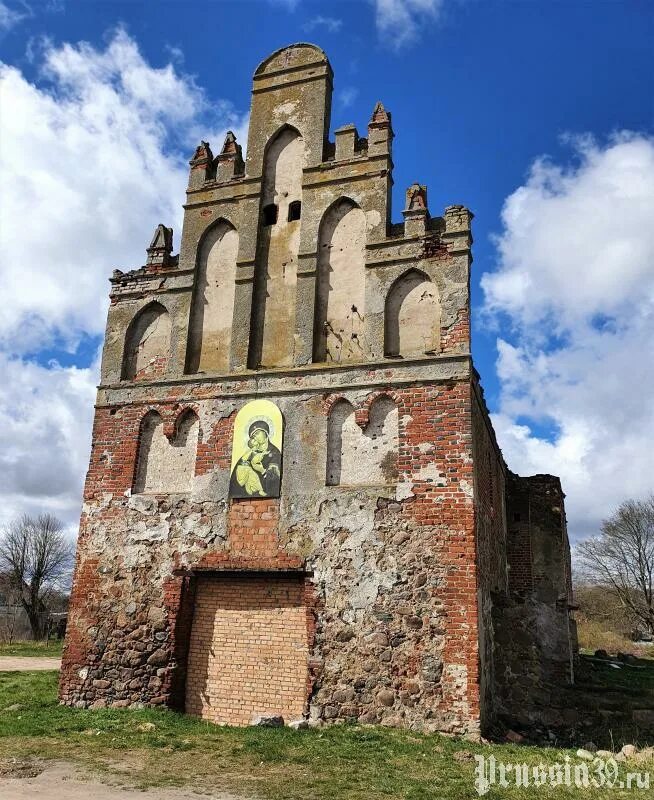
412 316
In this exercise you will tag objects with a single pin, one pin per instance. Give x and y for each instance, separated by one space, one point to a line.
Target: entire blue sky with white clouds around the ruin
536 115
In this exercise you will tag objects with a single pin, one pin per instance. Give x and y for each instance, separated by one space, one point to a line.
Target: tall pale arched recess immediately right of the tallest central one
340 284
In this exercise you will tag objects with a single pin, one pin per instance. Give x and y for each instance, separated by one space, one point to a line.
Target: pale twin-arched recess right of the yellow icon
367 457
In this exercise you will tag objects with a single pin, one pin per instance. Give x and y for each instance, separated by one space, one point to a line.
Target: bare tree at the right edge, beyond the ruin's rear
621 558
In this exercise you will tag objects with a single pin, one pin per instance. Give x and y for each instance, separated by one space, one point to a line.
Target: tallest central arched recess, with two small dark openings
273 312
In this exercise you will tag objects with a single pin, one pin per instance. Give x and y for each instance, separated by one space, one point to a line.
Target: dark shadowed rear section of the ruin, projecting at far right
535 642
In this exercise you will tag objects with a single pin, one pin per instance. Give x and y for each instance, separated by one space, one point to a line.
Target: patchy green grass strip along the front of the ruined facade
333 763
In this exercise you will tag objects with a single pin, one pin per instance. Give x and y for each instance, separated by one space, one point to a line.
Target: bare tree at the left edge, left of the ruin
36 556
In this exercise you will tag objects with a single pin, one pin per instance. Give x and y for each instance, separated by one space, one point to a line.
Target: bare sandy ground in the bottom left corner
63 782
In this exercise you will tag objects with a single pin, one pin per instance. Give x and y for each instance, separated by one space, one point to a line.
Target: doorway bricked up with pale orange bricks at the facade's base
248 653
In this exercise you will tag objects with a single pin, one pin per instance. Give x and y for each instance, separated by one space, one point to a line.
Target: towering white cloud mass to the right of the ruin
574 291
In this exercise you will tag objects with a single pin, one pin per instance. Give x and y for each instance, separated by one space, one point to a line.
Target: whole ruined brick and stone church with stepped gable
295 503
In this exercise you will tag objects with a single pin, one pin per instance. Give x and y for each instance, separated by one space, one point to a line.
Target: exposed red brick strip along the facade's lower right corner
441 415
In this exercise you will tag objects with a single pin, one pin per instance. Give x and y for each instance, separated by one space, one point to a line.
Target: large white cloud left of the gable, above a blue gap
90 165
